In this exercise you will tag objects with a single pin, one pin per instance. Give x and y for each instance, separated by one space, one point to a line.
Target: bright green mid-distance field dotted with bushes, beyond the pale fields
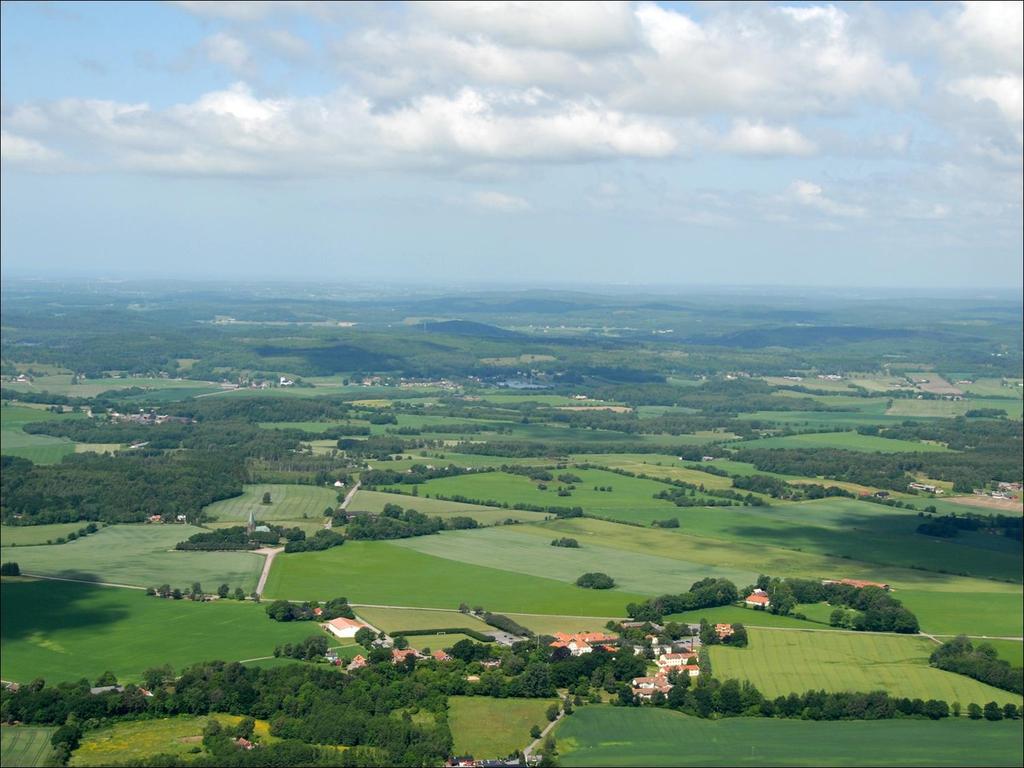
631 499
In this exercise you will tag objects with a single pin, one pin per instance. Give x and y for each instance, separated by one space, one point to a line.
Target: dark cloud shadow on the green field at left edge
31 608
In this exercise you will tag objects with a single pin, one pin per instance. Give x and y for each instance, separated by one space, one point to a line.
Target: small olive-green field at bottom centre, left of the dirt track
494 728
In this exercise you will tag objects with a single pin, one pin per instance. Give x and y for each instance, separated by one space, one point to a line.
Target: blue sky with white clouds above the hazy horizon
516 144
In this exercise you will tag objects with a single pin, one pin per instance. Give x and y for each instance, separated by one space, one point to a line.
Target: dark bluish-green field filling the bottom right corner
602 736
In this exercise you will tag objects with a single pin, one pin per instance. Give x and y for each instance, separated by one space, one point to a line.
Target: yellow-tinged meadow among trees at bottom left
131 742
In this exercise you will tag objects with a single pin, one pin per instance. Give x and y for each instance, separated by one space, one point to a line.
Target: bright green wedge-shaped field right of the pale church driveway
383 574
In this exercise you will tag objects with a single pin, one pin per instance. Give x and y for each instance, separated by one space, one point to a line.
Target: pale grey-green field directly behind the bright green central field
515 549
